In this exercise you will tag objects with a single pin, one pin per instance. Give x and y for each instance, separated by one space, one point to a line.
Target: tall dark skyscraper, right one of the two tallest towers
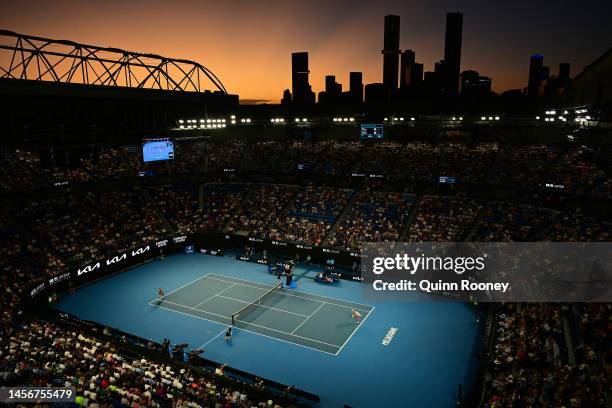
452 52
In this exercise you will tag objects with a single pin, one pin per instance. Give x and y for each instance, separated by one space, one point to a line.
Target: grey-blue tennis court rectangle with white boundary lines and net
316 322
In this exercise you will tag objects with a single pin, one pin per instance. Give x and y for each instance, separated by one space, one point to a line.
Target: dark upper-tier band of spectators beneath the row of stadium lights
529 167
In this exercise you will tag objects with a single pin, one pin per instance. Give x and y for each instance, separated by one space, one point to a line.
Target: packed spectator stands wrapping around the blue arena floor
328 194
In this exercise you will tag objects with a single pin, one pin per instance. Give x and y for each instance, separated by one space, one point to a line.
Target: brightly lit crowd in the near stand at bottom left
43 354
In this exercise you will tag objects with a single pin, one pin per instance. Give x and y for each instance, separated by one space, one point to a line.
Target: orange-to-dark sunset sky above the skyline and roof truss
248 44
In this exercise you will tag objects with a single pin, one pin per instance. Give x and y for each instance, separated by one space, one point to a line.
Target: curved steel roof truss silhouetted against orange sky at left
26 57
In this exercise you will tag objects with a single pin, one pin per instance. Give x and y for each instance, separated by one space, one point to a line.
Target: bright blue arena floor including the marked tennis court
304 337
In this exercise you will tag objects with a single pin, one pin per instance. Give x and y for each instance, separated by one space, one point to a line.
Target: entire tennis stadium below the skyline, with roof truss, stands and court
145 212
